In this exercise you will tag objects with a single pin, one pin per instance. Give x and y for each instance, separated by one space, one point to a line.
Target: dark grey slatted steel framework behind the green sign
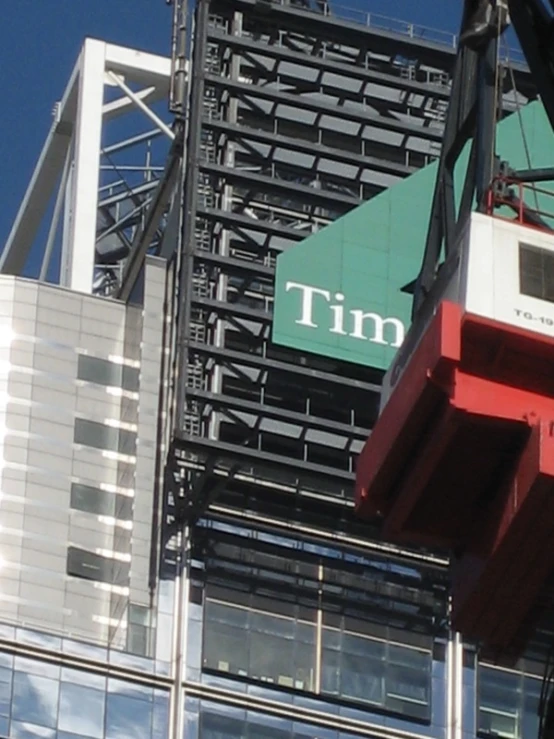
289 130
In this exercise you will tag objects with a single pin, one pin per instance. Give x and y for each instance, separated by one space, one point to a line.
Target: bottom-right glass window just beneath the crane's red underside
508 703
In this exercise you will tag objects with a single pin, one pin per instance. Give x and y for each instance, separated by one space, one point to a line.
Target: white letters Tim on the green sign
356 324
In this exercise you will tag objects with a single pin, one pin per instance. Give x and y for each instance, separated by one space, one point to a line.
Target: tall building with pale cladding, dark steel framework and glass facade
180 556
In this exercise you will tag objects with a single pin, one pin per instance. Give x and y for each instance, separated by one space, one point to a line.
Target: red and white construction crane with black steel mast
462 455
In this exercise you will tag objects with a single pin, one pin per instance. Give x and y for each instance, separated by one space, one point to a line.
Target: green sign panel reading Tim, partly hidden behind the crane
338 293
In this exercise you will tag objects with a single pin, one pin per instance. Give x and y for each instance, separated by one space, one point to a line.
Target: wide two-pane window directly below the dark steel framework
281 649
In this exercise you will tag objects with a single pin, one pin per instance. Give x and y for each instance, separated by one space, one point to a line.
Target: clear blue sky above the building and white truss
39 44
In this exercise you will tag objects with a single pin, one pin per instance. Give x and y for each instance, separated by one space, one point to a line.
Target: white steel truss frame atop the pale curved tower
99 171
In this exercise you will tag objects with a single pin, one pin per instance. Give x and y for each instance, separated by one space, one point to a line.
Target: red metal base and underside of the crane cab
462 458
